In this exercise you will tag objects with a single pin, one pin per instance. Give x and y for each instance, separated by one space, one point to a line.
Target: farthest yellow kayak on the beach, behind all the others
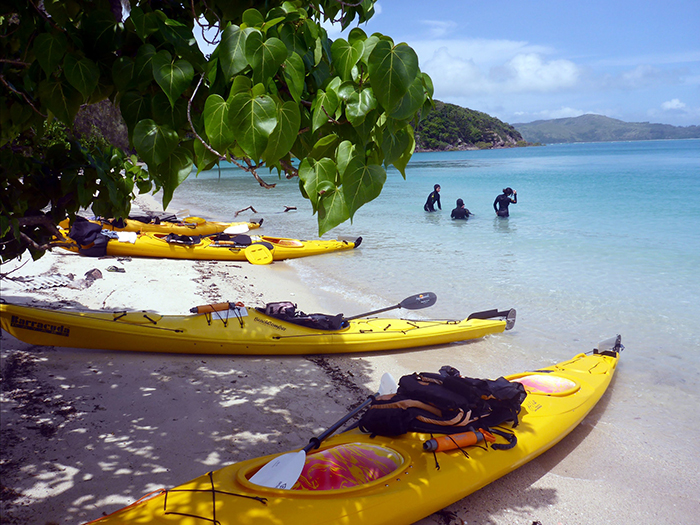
186 226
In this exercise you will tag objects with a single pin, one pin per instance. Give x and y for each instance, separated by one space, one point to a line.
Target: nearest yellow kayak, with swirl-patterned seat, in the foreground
355 479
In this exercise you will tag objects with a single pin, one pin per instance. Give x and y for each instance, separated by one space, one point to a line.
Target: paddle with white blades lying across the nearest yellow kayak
284 471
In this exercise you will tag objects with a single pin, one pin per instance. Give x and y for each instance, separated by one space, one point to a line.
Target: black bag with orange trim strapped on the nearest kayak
444 404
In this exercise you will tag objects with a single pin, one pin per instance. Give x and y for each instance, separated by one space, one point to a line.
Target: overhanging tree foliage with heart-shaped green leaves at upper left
275 93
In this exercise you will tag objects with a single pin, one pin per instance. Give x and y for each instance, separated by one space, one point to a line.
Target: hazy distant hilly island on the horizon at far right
598 128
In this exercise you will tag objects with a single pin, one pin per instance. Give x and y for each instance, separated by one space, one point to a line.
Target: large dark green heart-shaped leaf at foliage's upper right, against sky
392 70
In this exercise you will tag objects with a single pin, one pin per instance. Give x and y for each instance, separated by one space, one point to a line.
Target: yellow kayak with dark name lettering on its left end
226 328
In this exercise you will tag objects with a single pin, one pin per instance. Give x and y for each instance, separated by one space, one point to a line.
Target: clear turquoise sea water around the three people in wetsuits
604 239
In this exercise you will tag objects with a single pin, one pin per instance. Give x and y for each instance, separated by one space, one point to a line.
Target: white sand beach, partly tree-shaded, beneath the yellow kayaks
85 432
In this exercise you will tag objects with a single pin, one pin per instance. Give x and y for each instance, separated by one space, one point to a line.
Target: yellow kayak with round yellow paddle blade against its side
257 249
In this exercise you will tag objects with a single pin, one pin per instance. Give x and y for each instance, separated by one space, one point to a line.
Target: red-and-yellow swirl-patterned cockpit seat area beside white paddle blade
347 466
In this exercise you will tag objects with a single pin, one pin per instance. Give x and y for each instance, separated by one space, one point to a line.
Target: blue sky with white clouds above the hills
637 61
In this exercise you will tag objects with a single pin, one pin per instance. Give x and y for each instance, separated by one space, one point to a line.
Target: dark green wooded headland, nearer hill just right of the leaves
449 127
